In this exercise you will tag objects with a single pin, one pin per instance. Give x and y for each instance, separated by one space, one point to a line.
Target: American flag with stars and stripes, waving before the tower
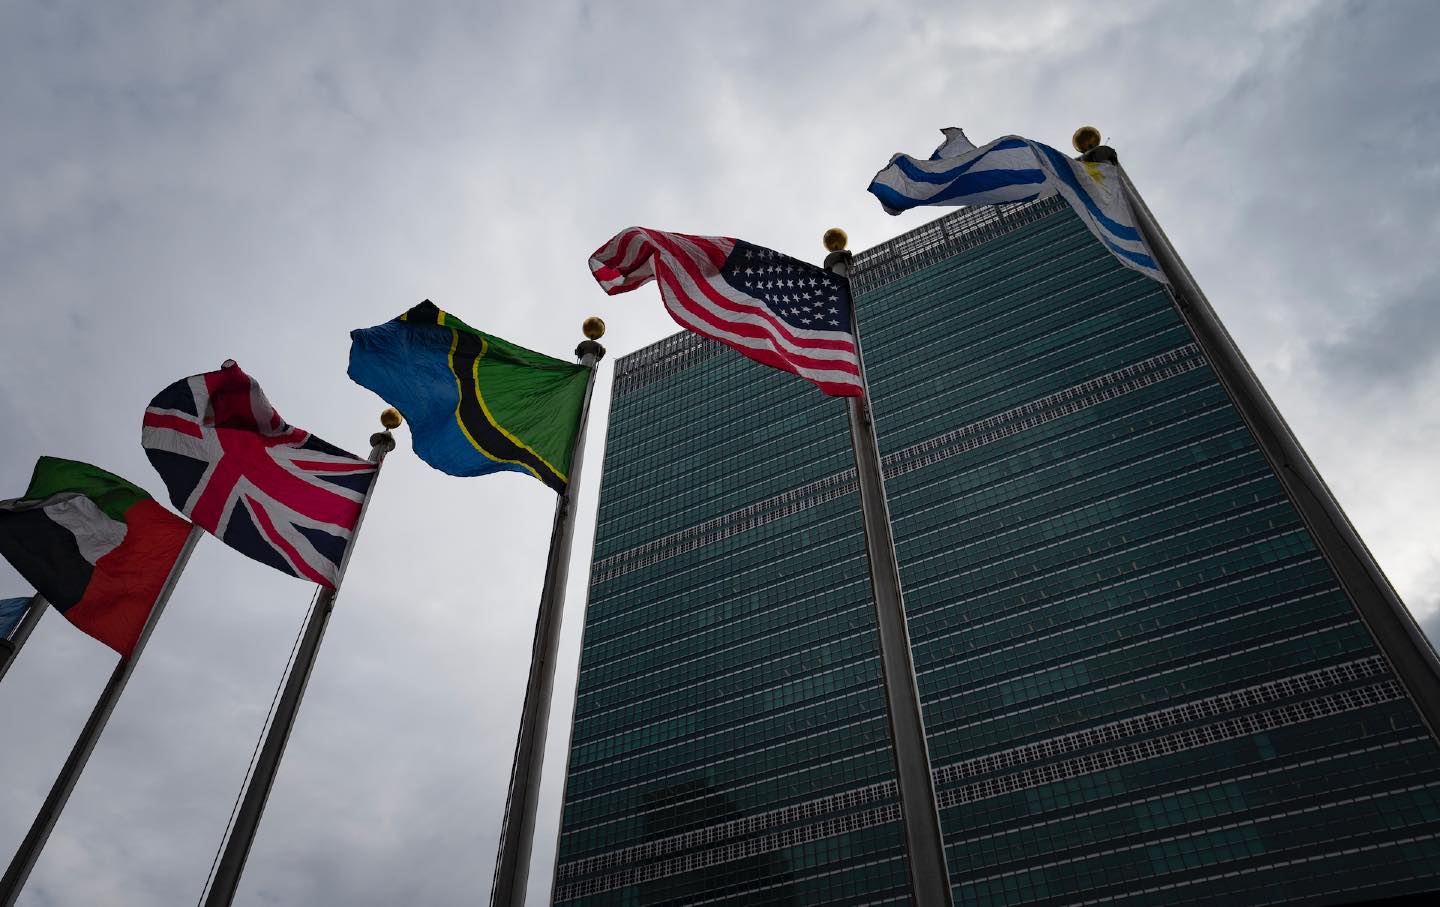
771 307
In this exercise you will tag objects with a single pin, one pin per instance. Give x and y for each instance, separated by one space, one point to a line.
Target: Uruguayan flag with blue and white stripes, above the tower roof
1016 169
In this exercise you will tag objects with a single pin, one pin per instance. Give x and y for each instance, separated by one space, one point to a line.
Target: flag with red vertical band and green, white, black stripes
96 546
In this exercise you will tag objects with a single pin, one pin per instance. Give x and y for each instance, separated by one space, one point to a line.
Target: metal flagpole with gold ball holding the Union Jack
267 765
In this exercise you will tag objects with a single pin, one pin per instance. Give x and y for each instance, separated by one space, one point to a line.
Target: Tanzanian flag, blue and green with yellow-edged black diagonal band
476 404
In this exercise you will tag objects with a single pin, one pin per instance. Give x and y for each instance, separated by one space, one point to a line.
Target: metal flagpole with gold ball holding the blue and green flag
519 826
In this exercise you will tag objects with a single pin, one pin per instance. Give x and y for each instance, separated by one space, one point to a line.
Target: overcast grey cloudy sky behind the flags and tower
189 182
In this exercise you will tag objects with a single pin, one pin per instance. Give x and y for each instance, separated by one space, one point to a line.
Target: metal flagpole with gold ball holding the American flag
925 844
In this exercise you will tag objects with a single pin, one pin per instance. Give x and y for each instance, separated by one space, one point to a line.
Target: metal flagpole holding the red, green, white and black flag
30 850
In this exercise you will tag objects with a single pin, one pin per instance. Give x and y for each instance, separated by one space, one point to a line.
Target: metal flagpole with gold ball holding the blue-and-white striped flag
1389 621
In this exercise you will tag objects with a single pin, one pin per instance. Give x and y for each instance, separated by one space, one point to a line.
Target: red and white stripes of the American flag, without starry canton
688 270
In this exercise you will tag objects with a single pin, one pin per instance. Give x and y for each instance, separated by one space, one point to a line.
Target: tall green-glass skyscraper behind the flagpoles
1143 680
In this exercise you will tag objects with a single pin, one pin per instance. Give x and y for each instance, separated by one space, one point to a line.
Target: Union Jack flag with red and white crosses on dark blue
267 489
